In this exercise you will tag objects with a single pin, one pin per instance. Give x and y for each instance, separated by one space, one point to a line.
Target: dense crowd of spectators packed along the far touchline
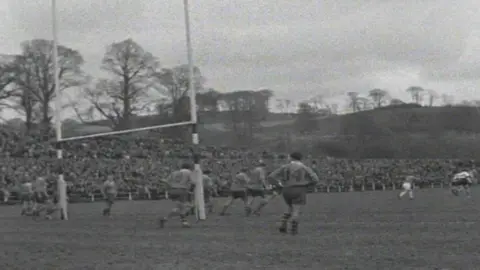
141 162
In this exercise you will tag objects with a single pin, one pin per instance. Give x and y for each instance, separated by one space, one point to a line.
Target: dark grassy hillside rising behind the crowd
404 131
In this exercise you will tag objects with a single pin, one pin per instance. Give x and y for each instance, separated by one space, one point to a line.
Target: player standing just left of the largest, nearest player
257 187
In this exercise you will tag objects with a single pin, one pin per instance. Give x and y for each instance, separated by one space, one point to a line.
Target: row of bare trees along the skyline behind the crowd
135 85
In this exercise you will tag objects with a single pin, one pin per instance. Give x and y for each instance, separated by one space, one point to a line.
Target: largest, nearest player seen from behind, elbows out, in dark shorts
295 178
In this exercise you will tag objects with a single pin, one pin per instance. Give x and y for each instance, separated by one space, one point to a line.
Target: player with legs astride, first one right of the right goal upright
238 190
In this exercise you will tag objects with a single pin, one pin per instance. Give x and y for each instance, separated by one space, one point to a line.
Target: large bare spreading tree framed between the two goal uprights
126 94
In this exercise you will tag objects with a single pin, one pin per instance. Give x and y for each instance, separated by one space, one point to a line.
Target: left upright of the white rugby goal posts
61 185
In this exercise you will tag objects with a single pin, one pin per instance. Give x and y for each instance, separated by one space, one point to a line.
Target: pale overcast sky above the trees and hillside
297 48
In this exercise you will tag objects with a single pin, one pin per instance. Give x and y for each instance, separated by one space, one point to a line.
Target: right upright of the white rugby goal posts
198 175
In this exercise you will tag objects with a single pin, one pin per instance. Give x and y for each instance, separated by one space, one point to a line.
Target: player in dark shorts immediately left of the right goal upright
179 185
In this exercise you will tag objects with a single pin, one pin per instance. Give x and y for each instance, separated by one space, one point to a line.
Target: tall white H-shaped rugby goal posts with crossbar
197 172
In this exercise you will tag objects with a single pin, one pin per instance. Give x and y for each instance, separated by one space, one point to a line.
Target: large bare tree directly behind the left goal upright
35 76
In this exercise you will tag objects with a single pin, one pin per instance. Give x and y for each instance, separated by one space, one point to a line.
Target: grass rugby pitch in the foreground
370 230
